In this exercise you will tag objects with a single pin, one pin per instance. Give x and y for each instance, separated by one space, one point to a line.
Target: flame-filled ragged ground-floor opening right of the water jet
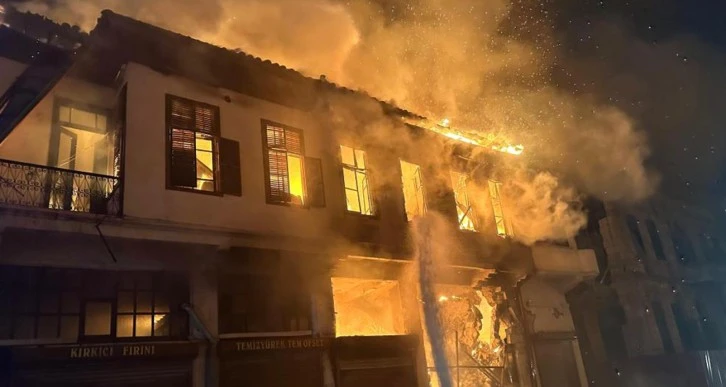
467 321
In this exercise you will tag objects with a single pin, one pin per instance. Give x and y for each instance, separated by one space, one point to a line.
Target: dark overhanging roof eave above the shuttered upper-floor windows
121 39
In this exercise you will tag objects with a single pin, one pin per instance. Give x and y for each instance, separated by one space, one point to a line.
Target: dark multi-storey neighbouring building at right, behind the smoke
654 316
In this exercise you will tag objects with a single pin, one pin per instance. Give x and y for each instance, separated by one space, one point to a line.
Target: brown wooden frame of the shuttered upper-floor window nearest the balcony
216 139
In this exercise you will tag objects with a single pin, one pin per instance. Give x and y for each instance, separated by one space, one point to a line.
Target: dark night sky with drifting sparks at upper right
663 62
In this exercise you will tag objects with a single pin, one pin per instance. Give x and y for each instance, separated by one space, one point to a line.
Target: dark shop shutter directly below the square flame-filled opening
376 361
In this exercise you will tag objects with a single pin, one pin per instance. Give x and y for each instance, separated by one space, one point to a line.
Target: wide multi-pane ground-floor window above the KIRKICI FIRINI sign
75 305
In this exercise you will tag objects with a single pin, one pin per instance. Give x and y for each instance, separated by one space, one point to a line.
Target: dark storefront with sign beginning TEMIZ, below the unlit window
272 361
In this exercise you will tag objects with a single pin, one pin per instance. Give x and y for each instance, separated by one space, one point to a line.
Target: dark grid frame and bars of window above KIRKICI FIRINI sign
74 281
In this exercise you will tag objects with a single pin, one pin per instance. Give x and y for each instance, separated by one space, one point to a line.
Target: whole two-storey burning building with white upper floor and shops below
175 213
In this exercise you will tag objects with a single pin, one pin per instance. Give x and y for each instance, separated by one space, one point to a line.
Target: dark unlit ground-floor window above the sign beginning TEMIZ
263 302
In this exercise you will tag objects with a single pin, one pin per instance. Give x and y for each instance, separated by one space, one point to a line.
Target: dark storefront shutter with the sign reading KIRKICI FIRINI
132 364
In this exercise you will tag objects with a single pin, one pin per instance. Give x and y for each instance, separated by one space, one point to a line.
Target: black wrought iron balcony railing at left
38 186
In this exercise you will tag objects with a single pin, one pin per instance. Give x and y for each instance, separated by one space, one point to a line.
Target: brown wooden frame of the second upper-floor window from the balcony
264 123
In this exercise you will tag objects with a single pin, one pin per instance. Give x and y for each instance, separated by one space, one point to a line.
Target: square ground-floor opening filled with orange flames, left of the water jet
366 307
